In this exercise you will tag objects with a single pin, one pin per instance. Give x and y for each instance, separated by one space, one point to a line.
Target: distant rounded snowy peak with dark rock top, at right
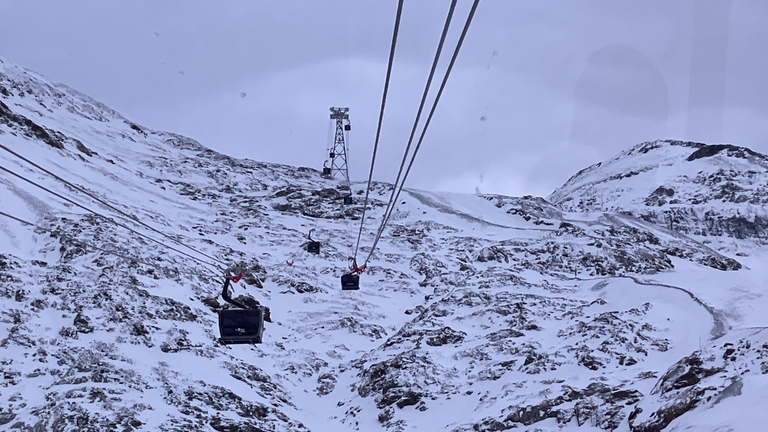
702 190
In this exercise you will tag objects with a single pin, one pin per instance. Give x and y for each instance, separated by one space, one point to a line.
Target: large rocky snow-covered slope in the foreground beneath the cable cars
479 313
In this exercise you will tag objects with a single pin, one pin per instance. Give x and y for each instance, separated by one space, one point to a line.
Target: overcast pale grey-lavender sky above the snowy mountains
541 88
